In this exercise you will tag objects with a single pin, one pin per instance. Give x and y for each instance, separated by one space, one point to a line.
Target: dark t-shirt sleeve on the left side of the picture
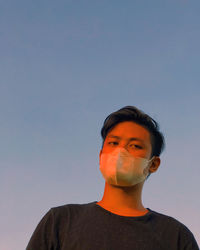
42 237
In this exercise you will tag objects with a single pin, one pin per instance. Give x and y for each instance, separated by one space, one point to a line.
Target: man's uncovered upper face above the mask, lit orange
131 136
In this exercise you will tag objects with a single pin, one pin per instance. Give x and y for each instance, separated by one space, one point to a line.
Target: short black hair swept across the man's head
131 113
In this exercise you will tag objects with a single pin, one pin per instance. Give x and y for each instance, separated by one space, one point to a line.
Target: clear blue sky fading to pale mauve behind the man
65 66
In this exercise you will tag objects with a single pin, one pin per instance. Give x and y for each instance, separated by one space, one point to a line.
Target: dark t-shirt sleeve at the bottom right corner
187 240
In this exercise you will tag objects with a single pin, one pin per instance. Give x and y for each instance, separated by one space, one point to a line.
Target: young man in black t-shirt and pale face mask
130 153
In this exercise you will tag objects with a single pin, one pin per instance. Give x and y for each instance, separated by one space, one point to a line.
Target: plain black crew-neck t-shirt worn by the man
91 227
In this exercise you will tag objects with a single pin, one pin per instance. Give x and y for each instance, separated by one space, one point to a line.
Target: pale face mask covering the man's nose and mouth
123 169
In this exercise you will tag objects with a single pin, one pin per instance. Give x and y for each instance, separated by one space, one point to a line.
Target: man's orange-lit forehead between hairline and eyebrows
129 129
